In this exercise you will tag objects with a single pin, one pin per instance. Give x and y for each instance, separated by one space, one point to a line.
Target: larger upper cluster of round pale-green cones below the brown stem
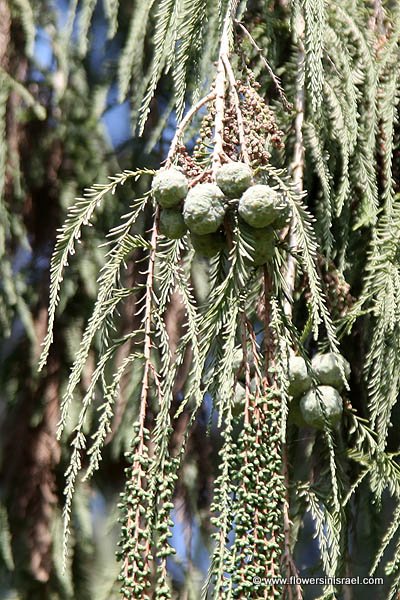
201 209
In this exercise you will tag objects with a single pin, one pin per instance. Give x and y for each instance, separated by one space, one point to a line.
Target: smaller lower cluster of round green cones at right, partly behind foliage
322 405
